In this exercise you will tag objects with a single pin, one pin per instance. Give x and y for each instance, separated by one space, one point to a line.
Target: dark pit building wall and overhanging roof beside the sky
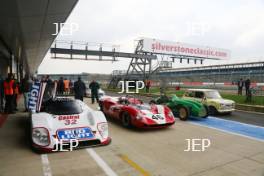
26 28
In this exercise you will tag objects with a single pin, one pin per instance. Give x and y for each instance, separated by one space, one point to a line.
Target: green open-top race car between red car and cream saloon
183 108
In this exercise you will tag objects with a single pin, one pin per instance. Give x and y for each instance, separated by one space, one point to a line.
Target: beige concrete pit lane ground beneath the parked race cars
134 152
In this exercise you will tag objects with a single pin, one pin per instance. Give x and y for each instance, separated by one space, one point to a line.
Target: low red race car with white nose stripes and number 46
133 112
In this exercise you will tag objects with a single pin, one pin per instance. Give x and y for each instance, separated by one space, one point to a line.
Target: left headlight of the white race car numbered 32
40 136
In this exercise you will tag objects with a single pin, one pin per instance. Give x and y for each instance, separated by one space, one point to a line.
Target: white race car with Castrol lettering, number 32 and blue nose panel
61 121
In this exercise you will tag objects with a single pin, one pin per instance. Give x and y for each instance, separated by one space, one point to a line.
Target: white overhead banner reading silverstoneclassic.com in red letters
183 49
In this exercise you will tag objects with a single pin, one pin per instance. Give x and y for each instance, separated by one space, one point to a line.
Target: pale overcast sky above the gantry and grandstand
236 25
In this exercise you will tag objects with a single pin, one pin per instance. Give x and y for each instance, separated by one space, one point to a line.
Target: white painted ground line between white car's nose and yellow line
101 162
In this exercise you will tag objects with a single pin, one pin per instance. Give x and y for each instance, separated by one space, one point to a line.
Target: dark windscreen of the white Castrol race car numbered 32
63 107
